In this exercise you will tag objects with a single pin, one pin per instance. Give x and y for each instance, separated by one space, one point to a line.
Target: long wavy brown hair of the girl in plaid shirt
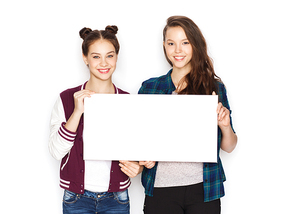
202 78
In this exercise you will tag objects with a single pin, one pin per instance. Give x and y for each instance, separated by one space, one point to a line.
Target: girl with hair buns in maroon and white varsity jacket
90 186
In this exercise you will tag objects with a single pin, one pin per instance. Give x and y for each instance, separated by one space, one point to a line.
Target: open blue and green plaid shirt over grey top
213 173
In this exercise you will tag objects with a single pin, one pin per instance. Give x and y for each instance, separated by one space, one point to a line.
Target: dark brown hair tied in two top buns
89 36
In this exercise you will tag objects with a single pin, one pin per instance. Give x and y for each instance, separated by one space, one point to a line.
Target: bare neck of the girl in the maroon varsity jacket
100 87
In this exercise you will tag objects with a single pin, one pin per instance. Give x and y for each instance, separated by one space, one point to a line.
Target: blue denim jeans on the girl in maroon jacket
100 203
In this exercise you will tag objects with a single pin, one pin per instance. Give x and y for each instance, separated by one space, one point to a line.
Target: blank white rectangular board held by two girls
150 127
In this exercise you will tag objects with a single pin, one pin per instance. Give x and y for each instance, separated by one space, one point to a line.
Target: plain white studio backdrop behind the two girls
253 47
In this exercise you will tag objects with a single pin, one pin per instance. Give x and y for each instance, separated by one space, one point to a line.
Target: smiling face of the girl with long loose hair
178 49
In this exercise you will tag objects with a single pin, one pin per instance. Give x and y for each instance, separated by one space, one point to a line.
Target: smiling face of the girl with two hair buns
101 60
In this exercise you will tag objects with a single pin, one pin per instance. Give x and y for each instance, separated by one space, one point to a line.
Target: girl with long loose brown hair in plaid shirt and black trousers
175 187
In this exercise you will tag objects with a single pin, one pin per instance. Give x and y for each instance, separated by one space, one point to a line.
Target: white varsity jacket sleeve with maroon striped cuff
61 140
